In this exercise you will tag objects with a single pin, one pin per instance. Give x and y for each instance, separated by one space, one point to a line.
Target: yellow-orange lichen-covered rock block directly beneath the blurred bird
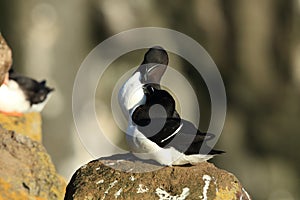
29 124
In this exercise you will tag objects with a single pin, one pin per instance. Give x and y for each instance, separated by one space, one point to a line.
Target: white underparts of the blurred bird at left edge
12 98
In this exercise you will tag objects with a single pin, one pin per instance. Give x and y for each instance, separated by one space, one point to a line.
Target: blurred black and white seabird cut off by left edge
20 94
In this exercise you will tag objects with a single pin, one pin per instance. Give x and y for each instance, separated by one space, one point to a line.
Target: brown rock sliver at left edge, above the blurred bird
5 58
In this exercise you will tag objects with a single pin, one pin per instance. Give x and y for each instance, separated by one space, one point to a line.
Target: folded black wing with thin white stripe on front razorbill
177 133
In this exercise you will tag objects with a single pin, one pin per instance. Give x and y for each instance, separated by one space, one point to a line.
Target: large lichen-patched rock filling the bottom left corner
26 170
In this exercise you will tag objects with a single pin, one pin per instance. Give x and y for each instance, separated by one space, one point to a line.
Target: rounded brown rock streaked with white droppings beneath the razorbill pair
121 177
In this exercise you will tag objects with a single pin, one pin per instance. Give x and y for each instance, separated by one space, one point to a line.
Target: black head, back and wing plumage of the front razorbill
169 130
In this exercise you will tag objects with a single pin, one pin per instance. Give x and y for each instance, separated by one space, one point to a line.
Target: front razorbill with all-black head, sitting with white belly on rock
155 133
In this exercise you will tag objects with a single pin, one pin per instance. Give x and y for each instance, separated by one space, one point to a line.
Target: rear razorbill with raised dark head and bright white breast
151 70
